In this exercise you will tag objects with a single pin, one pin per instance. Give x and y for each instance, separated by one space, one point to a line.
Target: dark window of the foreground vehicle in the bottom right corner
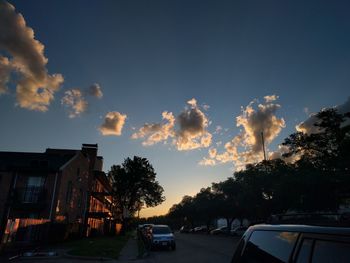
331 251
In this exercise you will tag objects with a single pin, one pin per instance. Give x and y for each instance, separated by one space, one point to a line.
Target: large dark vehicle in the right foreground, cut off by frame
293 243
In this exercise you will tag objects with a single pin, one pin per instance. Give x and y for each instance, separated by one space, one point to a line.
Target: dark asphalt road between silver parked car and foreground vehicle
197 248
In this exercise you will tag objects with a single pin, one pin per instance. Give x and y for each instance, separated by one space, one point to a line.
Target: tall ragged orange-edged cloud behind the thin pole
246 147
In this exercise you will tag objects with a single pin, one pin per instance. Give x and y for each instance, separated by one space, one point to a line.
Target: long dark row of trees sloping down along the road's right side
316 180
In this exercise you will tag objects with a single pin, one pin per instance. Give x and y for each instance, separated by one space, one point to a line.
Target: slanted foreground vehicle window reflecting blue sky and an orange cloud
269 246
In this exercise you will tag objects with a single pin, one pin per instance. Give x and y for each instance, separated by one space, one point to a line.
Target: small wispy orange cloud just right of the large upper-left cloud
75 102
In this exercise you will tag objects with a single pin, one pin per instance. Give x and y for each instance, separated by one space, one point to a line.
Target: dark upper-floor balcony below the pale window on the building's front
29 198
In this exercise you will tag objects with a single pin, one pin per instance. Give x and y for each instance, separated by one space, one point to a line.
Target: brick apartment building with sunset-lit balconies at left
53 195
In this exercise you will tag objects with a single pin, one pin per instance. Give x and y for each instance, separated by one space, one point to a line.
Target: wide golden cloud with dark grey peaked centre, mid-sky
190 131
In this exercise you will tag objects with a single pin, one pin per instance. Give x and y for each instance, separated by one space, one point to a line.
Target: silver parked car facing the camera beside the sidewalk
162 236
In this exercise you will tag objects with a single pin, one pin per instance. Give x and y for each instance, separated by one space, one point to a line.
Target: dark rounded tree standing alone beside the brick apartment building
134 184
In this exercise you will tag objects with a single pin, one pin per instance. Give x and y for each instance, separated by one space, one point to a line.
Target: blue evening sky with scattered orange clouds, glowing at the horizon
190 85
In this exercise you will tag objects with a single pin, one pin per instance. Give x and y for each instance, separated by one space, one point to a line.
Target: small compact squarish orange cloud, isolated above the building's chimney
113 123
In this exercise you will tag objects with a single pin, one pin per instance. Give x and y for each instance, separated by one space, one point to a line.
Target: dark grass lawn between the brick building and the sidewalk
108 247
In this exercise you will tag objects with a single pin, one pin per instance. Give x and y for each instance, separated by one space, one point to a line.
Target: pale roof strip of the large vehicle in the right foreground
303 228
